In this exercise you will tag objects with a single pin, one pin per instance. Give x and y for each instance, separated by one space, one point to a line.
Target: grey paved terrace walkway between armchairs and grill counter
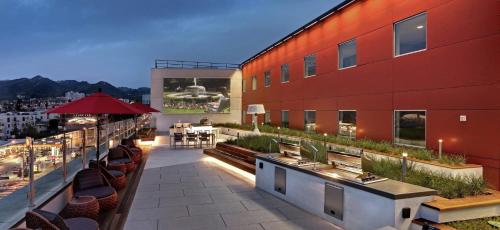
184 189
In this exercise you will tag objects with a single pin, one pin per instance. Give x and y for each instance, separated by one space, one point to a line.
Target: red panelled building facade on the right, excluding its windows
455 80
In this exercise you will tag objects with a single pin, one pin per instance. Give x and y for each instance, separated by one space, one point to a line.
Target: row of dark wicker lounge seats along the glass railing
94 192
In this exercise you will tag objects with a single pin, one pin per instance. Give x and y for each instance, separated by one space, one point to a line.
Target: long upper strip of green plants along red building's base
379 146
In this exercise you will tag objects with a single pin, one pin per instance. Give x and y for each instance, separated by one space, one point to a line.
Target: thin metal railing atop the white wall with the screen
176 64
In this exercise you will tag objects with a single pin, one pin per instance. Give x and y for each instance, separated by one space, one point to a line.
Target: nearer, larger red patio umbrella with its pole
96 104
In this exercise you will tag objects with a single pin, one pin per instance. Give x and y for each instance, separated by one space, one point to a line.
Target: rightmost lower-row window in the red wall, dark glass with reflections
409 128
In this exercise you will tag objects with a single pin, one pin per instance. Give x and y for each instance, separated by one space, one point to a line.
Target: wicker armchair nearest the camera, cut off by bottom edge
39 219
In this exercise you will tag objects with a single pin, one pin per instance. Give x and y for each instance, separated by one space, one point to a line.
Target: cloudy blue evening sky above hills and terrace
117 40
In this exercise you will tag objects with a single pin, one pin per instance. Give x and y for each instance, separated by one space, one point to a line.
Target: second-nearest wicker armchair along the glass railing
91 182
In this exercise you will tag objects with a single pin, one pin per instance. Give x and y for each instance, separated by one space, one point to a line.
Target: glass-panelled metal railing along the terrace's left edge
42 167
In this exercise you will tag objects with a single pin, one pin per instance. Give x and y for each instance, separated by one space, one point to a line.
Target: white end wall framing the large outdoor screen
164 121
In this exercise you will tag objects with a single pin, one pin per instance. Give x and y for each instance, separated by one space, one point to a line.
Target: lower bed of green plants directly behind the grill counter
447 185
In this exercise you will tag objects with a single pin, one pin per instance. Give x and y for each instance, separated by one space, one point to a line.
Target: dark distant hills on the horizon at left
41 87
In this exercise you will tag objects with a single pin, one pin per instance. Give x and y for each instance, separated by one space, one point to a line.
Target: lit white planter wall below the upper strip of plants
455 170
